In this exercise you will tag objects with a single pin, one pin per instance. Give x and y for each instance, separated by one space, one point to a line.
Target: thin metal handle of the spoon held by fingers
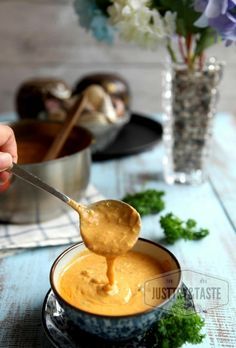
34 180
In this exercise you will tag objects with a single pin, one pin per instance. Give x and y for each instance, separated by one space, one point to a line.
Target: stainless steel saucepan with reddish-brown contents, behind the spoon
20 202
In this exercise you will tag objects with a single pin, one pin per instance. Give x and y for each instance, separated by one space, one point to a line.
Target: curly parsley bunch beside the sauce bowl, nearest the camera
179 326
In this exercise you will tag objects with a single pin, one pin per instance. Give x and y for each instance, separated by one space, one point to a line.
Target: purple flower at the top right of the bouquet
218 14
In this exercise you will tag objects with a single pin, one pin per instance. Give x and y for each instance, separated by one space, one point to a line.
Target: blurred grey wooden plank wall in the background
43 38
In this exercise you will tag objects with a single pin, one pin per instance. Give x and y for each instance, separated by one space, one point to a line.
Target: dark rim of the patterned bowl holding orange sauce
66 251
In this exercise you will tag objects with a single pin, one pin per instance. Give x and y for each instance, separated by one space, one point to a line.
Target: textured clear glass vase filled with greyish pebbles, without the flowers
189 101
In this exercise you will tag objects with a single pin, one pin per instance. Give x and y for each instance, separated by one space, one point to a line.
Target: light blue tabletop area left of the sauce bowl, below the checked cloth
24 283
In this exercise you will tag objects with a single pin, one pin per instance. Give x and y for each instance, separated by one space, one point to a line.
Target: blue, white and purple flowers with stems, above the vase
195 24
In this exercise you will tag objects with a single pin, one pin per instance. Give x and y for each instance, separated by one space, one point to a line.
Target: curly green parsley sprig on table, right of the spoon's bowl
174 229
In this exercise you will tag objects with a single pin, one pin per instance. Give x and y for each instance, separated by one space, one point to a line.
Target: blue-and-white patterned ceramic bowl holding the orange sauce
127 326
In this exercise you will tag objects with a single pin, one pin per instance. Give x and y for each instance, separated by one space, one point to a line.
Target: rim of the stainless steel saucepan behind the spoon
26 121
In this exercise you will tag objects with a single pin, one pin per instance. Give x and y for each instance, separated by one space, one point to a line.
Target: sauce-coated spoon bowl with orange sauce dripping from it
109 228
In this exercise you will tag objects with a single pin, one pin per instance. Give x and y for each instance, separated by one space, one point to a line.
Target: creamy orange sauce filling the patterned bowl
83 283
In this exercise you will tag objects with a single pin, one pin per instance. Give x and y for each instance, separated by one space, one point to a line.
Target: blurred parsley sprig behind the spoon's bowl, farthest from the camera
146 202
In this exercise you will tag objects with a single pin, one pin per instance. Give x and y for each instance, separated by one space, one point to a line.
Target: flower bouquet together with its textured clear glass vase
186 28
